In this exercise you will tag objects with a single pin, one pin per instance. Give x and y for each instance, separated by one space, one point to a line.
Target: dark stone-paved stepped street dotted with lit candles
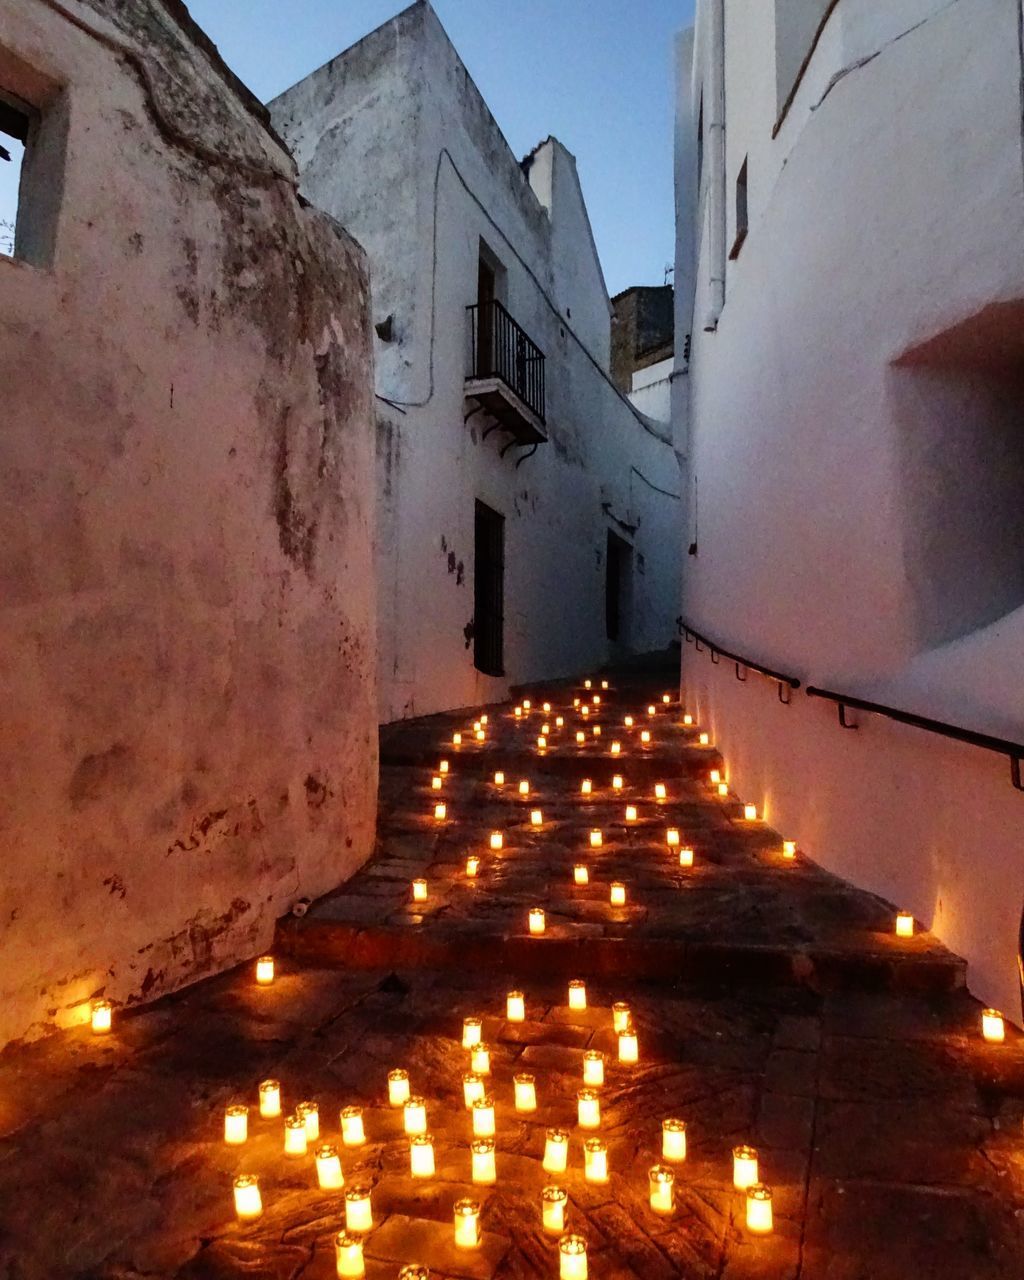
888 1130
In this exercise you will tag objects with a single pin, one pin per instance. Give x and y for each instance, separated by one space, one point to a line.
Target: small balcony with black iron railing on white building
508 373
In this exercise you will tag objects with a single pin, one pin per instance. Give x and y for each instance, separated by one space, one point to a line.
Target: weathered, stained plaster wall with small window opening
186 589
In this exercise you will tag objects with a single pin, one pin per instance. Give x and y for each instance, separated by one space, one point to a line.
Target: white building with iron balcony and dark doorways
529 516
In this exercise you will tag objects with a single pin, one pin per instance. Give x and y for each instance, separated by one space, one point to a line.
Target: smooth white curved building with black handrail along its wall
852 268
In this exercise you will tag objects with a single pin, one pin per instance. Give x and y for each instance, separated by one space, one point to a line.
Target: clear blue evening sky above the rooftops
597 74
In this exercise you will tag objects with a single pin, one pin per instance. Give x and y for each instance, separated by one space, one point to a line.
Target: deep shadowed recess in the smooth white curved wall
961 473
